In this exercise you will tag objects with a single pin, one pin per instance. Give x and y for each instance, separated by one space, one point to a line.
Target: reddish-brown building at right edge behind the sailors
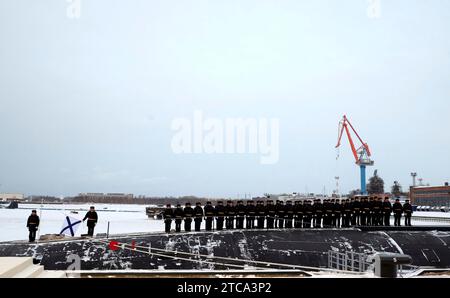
433 196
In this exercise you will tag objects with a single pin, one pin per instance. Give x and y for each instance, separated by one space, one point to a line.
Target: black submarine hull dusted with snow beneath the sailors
428 247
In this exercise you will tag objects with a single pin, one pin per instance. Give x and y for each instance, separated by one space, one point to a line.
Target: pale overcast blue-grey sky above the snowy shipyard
86 104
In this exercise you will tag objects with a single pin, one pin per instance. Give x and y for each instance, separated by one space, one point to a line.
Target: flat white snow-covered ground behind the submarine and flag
122 219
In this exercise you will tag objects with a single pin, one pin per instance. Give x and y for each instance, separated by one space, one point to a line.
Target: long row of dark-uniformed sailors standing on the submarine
331 213
